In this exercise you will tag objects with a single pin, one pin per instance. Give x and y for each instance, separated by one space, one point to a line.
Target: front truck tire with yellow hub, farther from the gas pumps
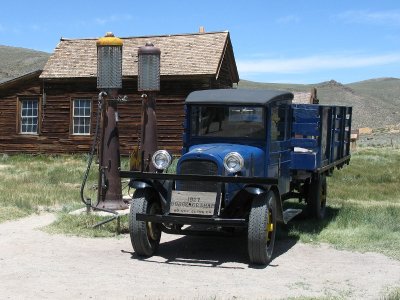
262 228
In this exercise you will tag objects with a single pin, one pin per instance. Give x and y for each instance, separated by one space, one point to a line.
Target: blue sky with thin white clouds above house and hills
274 41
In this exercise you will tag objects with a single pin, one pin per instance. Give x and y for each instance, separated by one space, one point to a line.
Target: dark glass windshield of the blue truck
228 121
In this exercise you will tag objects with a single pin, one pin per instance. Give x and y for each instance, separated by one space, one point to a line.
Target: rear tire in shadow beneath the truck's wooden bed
316 200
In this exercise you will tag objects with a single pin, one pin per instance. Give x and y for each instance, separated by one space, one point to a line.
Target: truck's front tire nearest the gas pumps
145 236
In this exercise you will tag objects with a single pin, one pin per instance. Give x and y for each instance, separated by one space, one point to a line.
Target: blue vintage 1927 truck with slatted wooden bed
244 153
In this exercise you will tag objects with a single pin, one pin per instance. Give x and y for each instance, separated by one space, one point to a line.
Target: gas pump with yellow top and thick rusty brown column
109 81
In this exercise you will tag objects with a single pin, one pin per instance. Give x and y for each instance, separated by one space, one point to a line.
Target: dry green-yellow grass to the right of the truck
364 206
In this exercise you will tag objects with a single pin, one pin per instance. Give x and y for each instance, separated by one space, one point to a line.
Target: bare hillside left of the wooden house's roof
15 62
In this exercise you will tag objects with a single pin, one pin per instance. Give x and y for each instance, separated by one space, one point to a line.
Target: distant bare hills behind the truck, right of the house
376 102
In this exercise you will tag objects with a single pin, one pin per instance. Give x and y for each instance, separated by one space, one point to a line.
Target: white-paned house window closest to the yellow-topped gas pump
81 116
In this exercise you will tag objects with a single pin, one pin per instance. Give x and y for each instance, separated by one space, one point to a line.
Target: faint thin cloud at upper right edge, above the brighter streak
390 17
